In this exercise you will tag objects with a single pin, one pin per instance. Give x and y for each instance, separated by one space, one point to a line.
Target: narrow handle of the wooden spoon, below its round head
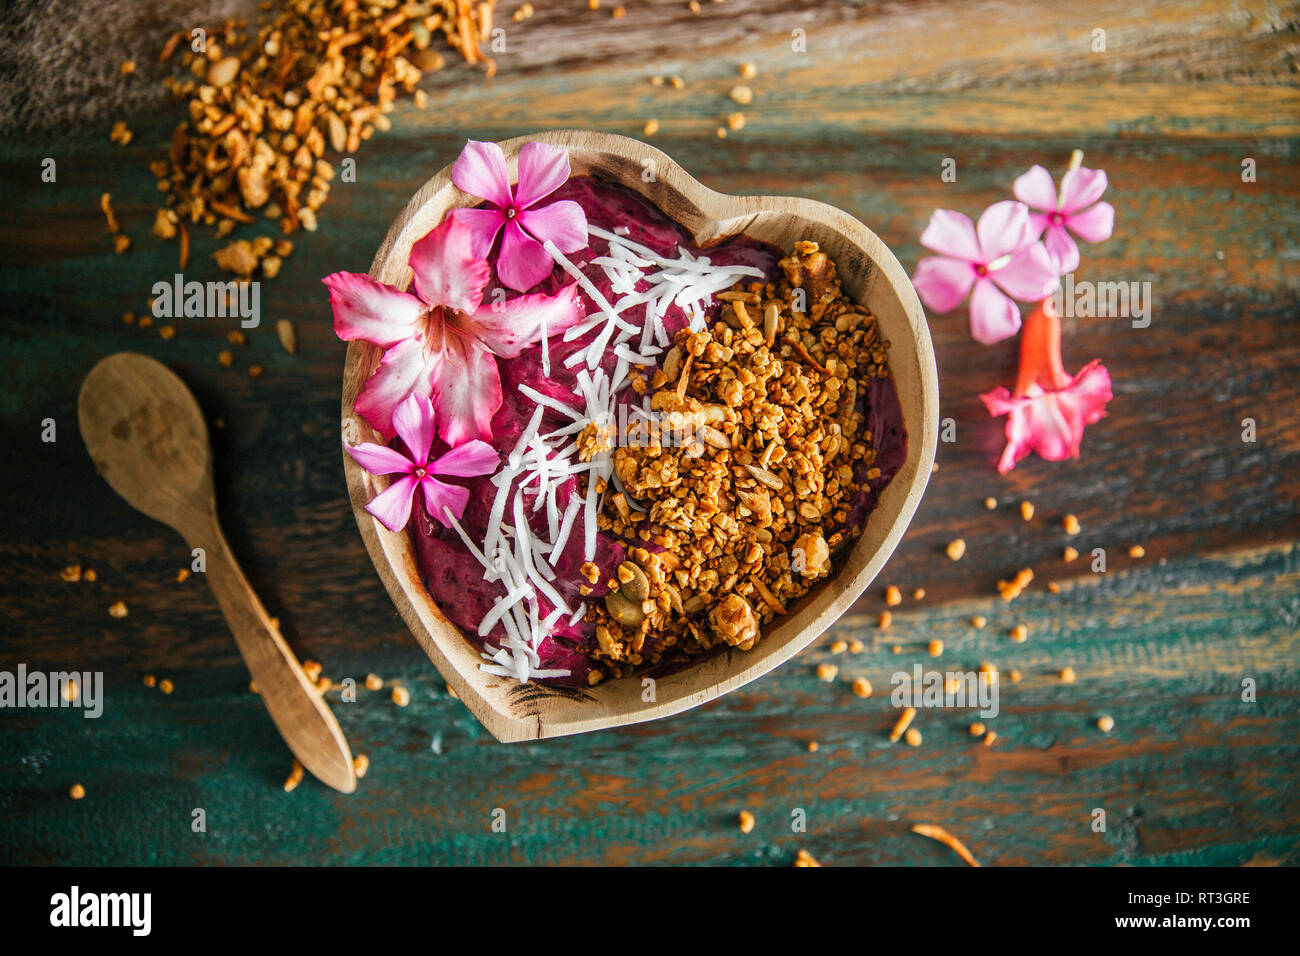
300 711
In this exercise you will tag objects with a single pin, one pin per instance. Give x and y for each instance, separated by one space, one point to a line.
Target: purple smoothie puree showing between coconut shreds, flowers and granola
453 576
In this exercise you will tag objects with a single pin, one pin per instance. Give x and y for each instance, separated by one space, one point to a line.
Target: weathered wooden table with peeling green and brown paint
864 119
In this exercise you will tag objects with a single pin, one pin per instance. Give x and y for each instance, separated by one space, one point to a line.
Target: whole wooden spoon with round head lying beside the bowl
148 438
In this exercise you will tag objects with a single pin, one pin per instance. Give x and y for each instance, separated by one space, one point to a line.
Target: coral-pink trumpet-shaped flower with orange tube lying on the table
1050 409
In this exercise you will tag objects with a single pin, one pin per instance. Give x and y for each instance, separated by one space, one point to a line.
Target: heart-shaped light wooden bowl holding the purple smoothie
870 274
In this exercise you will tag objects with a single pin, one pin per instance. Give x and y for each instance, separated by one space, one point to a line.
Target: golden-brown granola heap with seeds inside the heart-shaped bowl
734 504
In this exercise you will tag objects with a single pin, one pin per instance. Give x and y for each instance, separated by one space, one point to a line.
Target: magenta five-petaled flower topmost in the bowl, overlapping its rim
523 262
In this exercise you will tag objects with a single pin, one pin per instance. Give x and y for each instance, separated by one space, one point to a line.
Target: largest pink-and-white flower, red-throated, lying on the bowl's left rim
443 343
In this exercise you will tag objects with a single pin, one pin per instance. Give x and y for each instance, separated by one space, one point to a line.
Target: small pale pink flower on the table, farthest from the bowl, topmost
1074 210
